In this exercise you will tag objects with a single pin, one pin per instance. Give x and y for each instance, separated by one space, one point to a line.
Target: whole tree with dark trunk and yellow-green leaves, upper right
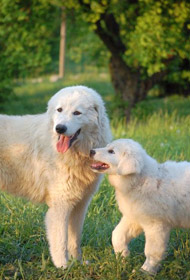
148 41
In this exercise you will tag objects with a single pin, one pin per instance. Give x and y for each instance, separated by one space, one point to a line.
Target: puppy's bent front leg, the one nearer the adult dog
122 235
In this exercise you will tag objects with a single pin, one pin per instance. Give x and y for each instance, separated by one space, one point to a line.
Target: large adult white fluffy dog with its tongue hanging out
45 158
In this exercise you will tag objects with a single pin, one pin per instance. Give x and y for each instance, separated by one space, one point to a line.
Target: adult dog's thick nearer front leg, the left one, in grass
57 234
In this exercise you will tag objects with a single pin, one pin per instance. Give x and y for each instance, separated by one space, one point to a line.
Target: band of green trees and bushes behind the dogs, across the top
145 44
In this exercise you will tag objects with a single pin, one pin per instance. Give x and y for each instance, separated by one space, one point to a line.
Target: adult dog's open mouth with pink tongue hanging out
65 142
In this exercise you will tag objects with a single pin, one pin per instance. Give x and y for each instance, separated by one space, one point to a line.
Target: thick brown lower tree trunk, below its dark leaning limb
128 83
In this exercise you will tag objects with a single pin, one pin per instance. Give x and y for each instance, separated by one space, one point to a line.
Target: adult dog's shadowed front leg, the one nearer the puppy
76 221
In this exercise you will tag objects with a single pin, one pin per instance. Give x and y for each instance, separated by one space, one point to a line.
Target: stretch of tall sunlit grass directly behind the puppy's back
164 136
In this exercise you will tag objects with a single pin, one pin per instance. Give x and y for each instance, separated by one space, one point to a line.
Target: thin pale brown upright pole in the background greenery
62 44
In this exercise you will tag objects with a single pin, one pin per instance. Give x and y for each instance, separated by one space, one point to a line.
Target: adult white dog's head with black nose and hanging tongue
77 115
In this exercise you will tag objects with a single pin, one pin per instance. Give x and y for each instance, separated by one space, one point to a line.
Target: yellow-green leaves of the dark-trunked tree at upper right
151 31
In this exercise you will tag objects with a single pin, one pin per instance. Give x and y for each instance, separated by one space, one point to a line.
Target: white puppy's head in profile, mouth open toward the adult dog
121 157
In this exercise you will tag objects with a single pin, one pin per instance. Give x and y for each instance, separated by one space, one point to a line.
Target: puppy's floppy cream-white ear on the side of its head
129 165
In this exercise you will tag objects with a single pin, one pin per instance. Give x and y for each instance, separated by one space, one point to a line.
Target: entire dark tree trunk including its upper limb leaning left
127 81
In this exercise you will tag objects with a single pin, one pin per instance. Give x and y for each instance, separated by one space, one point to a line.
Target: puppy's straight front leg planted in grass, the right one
157 236
